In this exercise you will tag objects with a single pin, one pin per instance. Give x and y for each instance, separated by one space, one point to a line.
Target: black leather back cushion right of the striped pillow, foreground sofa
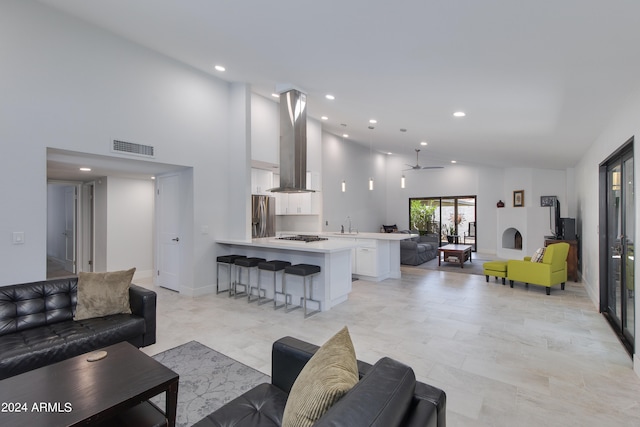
381 398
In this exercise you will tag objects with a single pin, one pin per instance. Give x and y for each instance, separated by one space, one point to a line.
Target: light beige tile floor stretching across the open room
505 357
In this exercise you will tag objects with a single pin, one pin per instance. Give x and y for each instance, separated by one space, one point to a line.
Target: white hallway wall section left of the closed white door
130 213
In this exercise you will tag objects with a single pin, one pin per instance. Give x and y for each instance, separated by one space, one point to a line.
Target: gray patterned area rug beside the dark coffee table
208 380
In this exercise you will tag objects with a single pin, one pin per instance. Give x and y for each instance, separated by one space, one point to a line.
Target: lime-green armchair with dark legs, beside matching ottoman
551 271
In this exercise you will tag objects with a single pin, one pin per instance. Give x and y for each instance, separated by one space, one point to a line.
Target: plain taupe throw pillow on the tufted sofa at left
102 294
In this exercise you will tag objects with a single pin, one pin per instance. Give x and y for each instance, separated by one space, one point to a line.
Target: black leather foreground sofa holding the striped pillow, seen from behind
387 395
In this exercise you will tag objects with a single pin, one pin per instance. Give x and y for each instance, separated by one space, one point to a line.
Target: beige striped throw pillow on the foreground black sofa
326 377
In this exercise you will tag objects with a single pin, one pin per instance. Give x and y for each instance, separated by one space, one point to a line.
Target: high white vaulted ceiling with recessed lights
538 80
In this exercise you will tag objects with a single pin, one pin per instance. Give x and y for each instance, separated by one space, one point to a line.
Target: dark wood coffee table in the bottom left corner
76 392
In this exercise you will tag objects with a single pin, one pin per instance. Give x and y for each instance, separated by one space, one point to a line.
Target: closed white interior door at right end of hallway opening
168 231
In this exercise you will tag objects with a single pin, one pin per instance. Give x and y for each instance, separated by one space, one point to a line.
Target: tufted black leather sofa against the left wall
37 326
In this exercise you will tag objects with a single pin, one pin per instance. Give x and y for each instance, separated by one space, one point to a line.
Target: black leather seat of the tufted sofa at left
33 348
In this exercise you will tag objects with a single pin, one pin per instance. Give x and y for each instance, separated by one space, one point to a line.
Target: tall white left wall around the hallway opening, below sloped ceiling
68 85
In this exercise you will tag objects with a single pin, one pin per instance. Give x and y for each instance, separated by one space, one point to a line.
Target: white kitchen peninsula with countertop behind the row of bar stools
331 287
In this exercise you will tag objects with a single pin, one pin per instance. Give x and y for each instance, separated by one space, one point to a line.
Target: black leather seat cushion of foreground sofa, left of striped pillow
263 405
